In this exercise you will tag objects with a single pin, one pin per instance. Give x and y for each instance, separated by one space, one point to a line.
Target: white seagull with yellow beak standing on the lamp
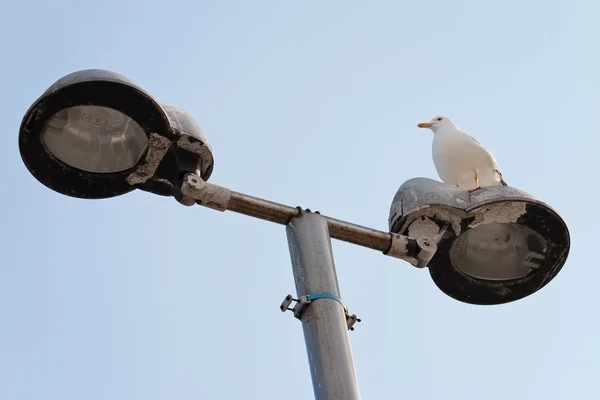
461 160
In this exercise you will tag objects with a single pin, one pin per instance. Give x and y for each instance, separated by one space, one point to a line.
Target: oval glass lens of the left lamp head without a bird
95 139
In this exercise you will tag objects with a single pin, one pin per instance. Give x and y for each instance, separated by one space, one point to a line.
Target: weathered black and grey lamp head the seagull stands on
495 245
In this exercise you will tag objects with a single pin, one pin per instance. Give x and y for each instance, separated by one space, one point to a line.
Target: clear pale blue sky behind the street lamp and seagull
306 103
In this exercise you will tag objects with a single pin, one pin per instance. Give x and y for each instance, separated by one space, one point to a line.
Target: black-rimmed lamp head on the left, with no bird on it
95 134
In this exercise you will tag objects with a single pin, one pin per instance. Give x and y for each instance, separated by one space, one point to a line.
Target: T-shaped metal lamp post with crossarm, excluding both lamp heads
325 319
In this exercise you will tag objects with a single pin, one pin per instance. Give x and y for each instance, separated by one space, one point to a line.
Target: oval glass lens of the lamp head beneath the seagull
498 251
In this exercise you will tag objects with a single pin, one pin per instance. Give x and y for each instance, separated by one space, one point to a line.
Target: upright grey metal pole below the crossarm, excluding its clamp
323 320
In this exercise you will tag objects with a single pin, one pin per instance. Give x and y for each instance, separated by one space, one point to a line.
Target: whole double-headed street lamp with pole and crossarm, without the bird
95 134
